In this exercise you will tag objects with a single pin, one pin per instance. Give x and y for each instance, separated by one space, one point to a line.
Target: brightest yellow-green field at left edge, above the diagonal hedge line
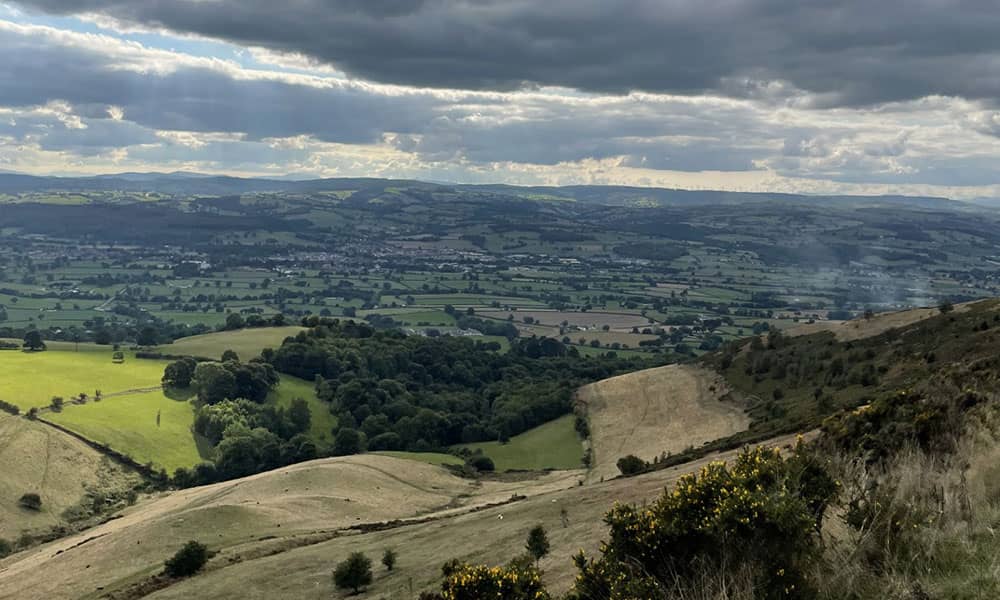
31 379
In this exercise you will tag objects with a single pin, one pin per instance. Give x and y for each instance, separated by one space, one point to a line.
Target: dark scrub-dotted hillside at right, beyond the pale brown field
789 382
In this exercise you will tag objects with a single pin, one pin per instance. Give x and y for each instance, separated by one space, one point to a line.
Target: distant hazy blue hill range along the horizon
186 184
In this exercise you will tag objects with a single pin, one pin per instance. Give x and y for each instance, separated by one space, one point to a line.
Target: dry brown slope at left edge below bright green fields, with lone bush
59 468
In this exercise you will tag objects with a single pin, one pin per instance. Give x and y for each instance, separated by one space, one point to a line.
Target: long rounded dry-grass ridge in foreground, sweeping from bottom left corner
317 498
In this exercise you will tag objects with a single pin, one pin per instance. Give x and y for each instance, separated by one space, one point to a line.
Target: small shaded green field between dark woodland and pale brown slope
554 445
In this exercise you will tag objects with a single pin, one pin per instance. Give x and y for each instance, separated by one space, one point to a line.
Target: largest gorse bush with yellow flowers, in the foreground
763 511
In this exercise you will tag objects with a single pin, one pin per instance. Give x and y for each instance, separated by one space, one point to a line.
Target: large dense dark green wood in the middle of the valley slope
420 393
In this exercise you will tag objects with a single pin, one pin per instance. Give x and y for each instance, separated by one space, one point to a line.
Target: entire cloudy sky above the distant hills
805 96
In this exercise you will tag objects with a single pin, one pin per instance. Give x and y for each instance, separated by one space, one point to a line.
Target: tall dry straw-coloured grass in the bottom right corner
949 508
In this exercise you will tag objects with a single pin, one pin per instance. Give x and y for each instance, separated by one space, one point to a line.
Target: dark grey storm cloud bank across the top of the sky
843 52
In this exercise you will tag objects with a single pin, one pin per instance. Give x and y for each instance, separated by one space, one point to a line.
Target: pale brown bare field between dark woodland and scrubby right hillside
650 412
